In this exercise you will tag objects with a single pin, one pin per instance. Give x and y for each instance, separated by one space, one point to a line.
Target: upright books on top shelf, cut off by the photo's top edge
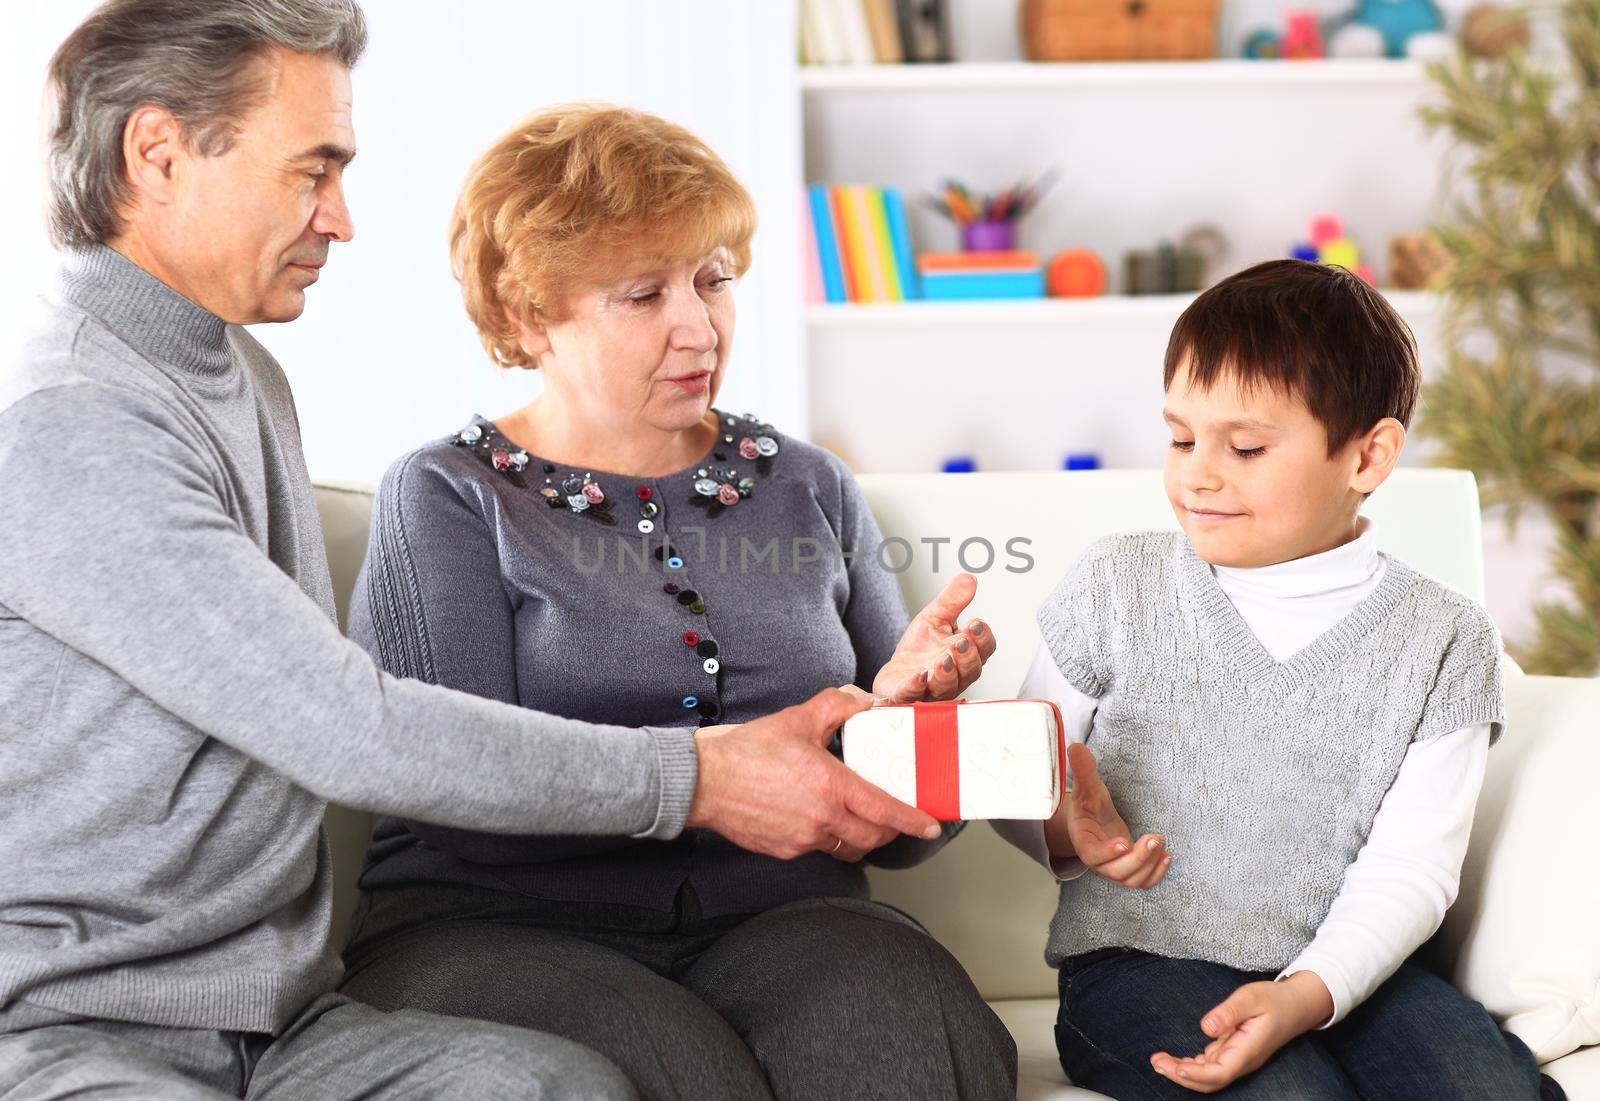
844 33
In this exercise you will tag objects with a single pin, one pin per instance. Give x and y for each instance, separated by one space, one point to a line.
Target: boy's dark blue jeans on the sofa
1417 1039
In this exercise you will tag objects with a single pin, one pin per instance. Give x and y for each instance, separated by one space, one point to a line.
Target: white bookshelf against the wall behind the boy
1146 151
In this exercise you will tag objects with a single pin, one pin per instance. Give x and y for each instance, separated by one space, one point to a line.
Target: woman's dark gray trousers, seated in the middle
822 999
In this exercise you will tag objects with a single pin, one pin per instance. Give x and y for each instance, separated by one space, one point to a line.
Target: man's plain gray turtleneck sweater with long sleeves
177 700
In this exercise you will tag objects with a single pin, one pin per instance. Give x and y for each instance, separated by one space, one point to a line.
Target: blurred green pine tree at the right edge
1519 399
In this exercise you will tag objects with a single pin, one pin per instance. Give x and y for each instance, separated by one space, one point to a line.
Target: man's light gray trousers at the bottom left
337 1051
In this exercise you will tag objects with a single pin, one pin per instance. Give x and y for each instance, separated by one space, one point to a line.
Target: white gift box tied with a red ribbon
964 761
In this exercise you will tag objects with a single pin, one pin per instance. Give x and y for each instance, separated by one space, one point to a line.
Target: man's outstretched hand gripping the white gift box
772 787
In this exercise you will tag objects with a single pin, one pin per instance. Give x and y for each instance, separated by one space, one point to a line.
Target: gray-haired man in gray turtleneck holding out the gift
175 697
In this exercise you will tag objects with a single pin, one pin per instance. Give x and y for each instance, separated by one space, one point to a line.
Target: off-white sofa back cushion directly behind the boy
982 899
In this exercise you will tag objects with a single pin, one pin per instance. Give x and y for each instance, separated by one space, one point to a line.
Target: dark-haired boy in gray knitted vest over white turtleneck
1303 718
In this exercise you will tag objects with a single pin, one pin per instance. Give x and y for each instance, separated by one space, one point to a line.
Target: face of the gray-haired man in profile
255 223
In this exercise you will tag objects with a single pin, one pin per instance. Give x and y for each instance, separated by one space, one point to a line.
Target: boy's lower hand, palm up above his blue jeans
1247 1030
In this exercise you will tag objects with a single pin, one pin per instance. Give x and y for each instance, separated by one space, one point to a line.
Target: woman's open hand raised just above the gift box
934 660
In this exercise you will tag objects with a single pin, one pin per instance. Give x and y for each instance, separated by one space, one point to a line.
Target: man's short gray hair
196 58
